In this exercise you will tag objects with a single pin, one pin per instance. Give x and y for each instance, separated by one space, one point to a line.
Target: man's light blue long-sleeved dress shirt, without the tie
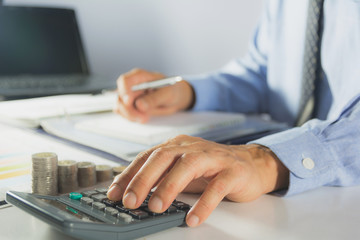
324 151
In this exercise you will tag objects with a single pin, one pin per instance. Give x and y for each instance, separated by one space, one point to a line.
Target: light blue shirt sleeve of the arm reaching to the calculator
320 153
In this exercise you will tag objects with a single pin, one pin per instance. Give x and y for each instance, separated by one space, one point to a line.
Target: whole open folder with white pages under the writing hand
117 136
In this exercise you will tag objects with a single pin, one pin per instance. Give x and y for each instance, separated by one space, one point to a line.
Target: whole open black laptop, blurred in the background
41 54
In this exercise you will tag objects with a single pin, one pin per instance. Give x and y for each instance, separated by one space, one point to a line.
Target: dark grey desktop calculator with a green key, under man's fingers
91 215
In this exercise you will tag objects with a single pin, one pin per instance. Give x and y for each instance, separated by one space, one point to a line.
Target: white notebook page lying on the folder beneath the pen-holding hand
203 124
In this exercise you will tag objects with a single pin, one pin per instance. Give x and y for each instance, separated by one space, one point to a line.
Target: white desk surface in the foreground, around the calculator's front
325 213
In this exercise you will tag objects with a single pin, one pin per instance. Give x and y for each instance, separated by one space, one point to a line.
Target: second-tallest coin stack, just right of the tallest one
67 173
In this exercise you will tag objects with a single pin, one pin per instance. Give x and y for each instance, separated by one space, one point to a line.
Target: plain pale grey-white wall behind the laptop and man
169 36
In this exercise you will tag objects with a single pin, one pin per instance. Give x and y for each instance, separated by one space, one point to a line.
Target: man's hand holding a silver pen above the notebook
141 105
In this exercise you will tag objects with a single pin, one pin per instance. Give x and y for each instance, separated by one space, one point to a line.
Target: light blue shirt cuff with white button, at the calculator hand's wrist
310 163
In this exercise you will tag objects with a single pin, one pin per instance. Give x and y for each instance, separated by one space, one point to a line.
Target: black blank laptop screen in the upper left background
42 41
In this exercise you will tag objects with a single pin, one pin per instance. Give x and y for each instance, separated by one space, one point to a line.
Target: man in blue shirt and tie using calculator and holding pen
302 68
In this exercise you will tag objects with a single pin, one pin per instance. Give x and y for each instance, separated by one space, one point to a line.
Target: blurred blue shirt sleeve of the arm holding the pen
240 86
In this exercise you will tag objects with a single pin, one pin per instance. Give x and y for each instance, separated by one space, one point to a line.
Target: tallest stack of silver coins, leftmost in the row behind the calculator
45 173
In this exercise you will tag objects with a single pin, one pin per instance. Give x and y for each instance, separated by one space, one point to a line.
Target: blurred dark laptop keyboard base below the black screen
53 81
